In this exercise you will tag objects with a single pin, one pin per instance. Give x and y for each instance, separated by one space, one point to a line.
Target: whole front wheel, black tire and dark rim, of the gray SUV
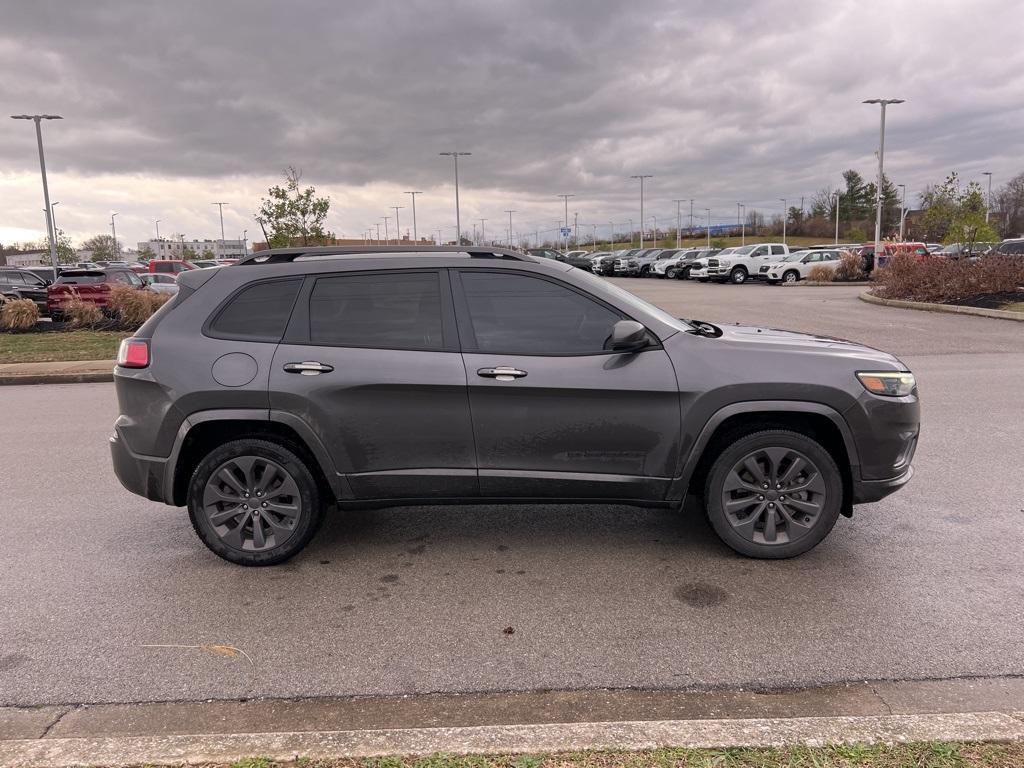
795 530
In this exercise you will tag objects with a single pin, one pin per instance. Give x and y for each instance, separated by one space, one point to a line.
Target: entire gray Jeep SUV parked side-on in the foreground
301 379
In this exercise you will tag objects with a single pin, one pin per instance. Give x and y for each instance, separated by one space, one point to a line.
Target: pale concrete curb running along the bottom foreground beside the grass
492 740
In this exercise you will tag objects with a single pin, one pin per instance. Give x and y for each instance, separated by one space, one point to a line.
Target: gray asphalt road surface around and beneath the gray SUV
107 598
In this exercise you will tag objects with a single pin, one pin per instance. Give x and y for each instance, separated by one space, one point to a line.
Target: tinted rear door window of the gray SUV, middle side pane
396 311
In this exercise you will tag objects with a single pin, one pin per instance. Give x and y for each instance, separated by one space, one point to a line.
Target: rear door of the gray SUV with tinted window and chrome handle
371 363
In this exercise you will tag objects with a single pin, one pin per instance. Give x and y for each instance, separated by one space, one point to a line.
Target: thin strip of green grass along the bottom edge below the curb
925 755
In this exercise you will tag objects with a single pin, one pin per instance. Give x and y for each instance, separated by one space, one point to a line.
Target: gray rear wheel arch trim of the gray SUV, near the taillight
203 432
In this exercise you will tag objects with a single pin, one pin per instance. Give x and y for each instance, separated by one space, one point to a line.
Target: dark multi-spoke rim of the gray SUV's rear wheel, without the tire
253 504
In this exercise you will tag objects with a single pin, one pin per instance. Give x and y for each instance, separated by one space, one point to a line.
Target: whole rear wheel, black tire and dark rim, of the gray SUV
296 532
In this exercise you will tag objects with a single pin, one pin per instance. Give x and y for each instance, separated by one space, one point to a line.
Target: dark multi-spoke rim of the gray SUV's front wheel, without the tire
775 496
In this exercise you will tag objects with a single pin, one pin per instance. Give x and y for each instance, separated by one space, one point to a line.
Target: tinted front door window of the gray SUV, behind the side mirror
520 315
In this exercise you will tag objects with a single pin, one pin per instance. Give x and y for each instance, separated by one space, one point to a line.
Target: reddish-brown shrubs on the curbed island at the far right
949 281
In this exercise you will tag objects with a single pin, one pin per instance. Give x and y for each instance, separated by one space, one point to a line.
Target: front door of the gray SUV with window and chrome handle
556 414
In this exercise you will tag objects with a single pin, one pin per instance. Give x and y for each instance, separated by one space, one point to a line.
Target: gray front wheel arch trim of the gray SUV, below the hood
816 420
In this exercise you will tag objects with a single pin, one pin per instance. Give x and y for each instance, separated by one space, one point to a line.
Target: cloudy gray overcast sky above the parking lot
172 106
